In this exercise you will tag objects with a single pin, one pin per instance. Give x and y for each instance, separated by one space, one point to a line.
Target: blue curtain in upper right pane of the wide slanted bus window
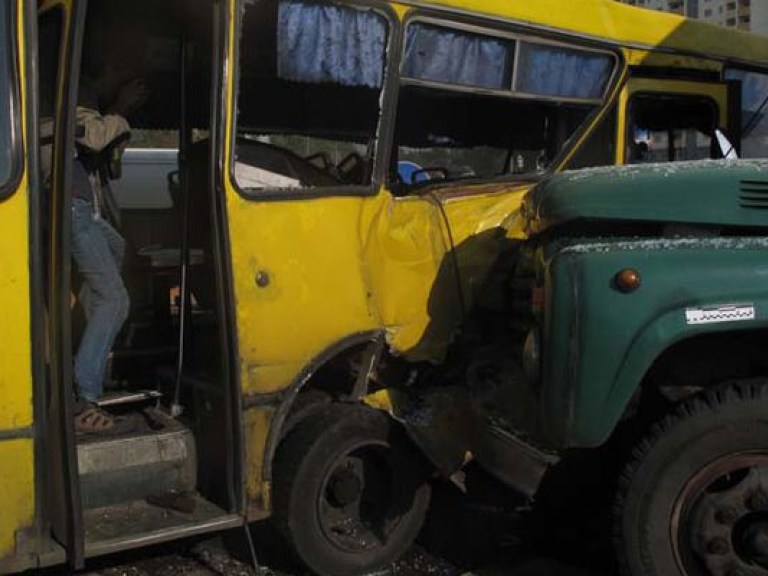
556 71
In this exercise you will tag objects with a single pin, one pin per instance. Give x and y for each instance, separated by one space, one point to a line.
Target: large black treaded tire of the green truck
694 499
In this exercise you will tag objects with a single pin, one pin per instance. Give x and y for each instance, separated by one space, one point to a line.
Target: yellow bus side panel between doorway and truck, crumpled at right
310 273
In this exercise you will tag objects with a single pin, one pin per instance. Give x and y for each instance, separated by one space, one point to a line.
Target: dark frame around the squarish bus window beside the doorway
382 135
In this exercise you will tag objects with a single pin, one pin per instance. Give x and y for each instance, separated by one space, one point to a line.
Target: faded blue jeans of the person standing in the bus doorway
97 249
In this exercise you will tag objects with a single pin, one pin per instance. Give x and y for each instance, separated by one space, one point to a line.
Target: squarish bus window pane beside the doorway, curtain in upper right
310 80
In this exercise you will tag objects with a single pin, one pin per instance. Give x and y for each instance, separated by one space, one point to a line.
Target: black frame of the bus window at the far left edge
11 56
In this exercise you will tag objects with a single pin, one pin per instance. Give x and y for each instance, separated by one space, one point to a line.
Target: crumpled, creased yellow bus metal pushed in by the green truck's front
411 267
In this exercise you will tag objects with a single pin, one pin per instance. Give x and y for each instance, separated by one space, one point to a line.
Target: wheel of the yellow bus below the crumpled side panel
350 491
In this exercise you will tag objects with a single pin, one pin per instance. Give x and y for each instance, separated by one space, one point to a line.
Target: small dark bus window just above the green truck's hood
670 127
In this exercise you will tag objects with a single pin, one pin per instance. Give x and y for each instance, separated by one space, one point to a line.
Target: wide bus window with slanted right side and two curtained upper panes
484 105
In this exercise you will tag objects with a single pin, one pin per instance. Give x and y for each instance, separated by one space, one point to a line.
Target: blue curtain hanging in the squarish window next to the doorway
330 44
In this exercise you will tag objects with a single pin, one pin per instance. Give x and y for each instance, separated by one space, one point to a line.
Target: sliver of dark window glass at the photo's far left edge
6 95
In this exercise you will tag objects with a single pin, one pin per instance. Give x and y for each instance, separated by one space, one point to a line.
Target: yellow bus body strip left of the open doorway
17 486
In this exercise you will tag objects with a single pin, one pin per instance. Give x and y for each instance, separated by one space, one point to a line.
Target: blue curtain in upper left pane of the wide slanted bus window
444 55
